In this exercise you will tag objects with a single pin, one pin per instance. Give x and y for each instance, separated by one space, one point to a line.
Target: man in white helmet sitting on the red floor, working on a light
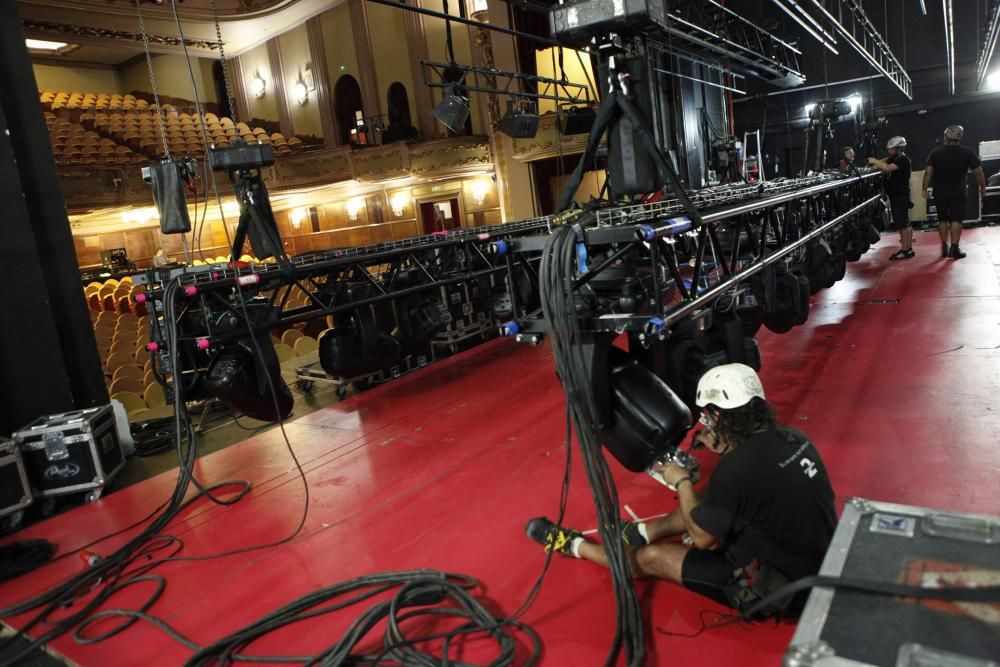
769 500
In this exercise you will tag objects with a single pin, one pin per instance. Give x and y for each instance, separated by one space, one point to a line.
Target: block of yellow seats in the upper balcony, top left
141 130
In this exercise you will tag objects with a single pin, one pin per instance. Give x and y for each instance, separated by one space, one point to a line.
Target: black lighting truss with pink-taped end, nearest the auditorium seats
213 315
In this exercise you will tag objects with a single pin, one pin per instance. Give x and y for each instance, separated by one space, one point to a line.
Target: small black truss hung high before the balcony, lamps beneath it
488 80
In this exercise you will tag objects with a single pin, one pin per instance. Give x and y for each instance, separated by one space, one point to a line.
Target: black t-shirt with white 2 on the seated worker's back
771 499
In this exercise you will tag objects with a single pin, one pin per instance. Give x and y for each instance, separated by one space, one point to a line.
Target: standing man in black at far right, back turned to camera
946 169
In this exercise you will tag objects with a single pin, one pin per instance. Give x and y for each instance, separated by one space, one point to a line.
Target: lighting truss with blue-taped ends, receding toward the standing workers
677 271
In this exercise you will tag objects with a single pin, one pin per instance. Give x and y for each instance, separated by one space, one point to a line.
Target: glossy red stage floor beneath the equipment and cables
441 469
